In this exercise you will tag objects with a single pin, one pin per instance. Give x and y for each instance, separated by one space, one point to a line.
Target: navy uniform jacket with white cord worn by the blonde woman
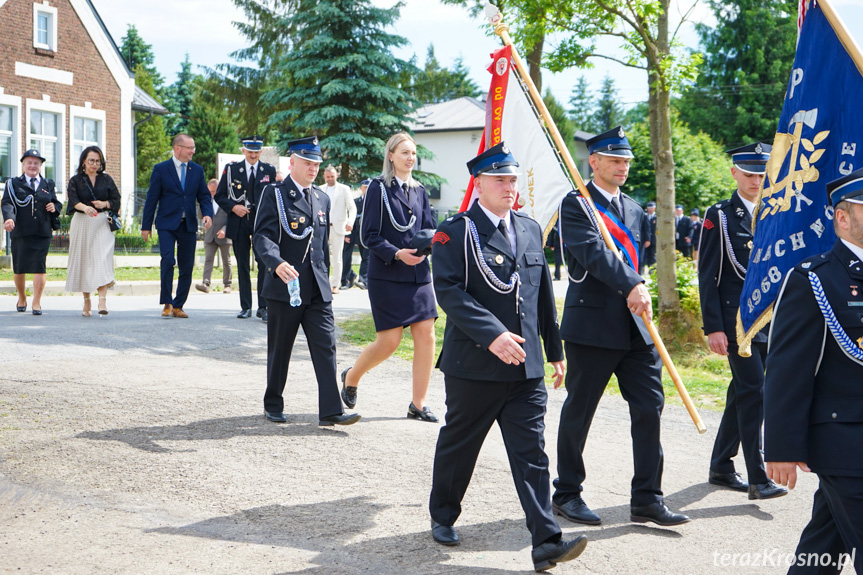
383 240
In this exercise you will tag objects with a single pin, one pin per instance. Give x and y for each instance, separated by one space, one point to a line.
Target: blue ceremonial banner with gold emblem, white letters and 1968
819 139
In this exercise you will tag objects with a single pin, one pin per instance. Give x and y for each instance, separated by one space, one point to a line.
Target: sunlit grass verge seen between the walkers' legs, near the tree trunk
706 375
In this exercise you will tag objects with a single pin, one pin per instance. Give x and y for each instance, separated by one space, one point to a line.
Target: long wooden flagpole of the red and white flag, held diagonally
502 30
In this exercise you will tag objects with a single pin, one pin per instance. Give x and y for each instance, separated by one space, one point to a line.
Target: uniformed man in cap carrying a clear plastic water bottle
291 238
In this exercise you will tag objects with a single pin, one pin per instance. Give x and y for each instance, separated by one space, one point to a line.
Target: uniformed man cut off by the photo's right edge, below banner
813 394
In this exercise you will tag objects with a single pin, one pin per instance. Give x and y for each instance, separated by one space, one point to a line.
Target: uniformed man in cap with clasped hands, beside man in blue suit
248 179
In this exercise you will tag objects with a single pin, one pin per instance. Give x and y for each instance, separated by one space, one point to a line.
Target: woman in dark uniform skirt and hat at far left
29 205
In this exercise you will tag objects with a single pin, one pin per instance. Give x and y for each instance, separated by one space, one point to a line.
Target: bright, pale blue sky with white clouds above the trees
203 29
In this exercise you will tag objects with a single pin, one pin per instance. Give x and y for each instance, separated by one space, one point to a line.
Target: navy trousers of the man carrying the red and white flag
639 376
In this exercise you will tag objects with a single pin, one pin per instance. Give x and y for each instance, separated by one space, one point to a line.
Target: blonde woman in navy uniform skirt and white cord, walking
399 280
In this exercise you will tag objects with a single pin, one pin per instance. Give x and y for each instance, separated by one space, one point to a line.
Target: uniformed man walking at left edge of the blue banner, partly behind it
726 241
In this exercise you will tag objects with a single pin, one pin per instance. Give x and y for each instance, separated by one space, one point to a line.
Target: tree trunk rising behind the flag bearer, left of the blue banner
659 102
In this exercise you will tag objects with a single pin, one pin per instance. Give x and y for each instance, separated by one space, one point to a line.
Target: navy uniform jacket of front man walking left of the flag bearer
477 315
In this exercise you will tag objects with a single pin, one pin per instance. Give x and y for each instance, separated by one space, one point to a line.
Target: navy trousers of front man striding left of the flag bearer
519 409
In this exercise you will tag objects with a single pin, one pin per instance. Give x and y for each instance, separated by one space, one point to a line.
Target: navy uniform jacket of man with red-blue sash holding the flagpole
595 311
